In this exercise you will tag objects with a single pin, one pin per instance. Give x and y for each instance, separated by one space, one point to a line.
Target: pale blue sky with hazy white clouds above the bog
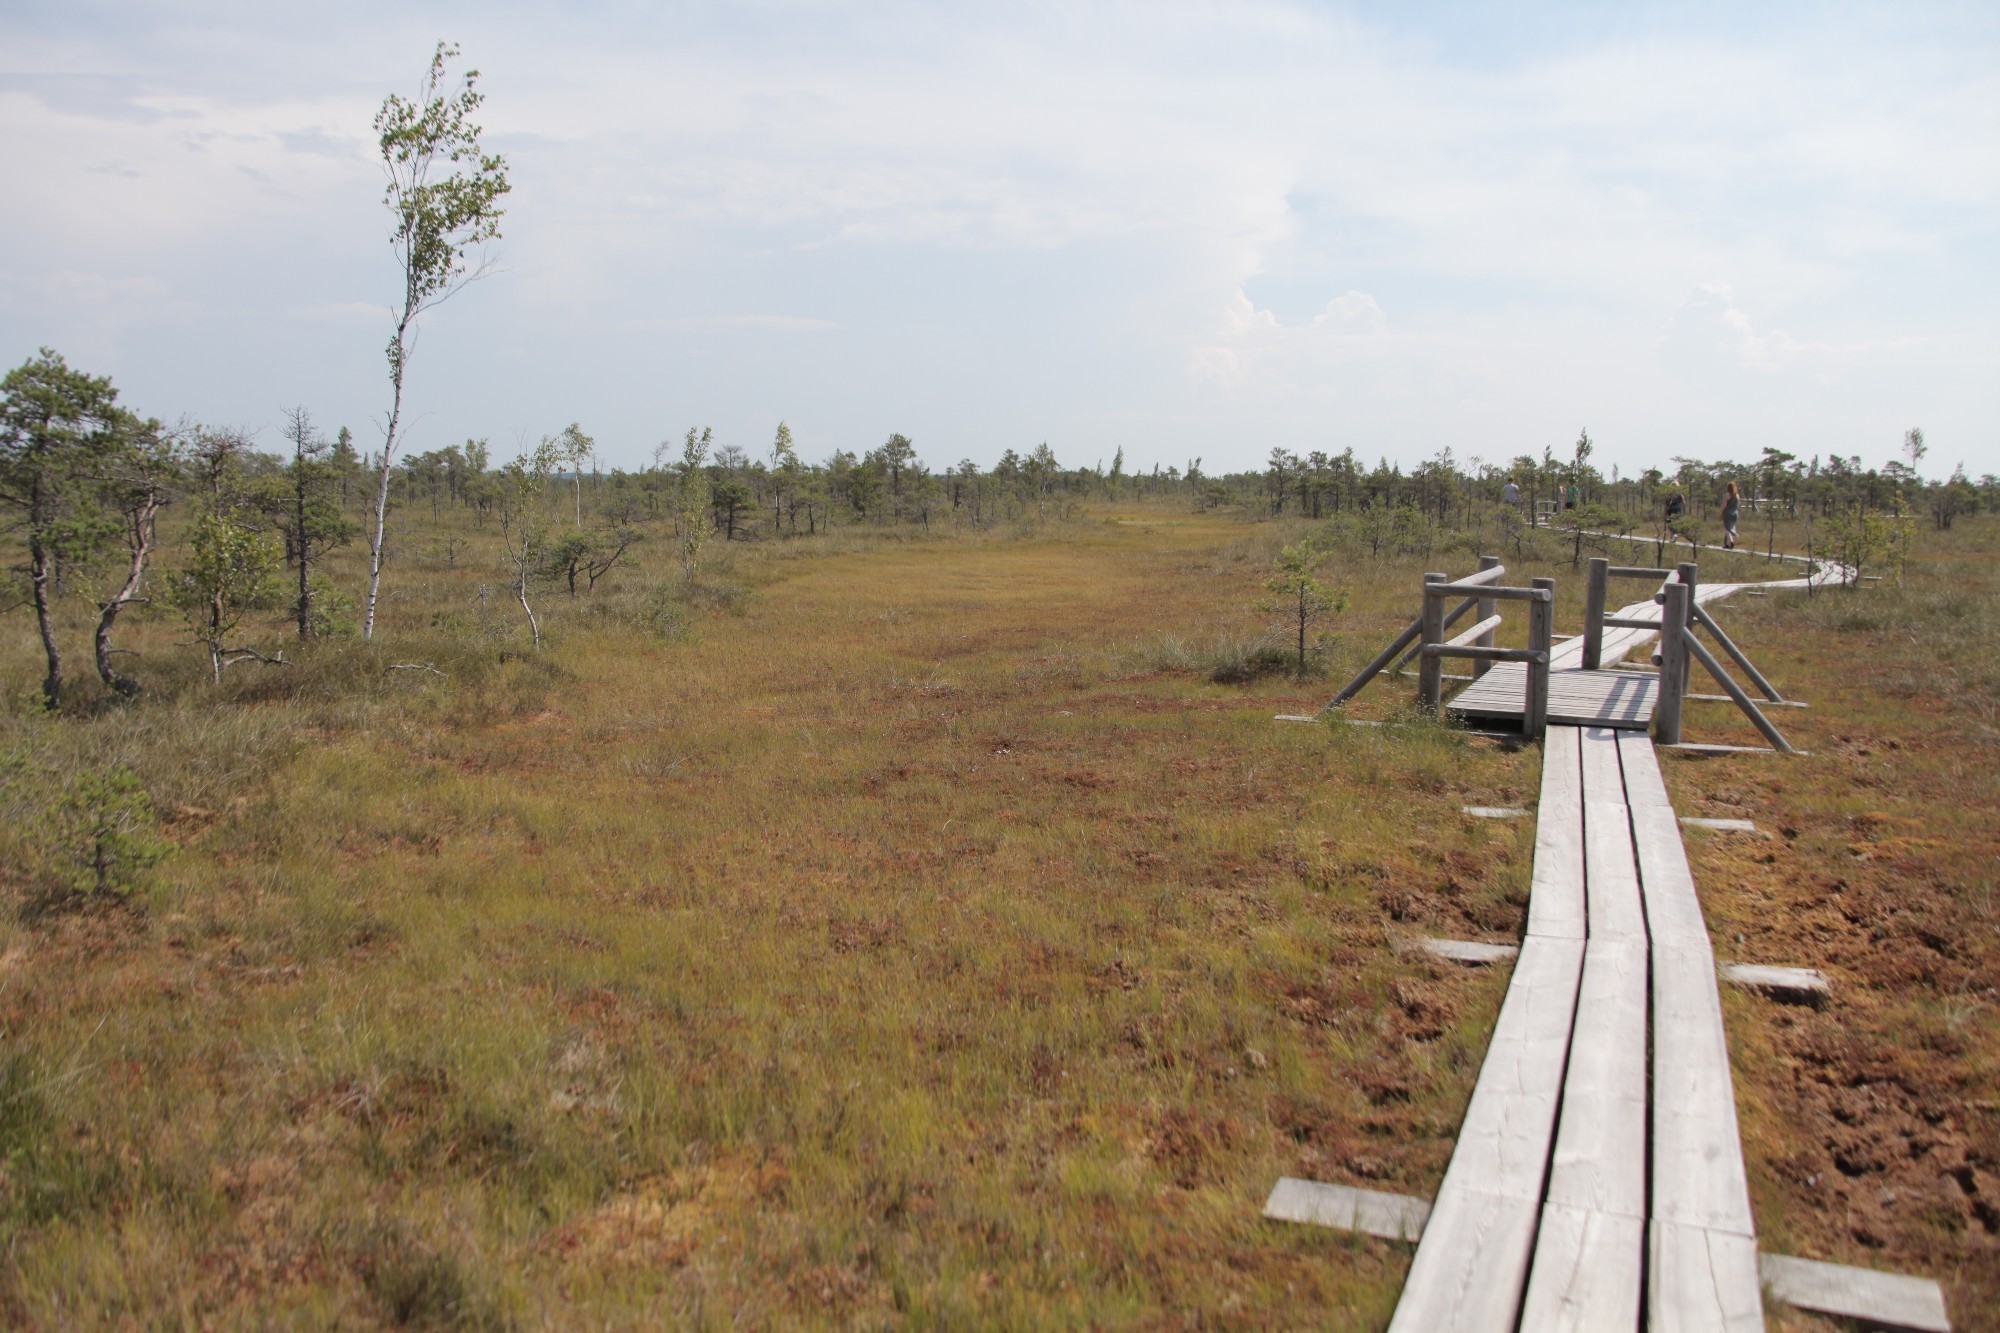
1179 229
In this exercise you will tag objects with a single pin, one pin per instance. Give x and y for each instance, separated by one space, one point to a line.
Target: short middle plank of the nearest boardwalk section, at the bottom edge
1587 1272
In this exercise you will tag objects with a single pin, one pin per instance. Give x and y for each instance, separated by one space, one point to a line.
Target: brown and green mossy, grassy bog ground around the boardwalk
915 932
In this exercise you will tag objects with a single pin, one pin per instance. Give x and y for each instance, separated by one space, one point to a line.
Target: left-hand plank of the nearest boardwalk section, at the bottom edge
1471 1268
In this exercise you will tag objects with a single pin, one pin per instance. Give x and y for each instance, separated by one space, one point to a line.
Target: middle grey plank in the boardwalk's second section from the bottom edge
1601 1142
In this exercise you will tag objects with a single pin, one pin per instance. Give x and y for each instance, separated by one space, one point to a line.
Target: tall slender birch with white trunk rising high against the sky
445 193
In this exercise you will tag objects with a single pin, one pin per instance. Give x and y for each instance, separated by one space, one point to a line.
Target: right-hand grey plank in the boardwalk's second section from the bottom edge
1697 1152
